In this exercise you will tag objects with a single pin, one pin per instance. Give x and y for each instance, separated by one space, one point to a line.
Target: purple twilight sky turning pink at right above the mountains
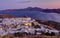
18 4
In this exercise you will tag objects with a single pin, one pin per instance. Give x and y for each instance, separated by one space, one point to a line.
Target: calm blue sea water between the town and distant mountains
35 15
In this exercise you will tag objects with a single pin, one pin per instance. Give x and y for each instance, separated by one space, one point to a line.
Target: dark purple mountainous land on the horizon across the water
47 10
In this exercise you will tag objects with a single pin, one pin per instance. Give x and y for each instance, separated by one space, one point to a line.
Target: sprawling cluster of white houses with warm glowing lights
11 25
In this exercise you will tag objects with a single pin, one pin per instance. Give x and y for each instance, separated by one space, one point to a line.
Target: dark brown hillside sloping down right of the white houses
53 24
